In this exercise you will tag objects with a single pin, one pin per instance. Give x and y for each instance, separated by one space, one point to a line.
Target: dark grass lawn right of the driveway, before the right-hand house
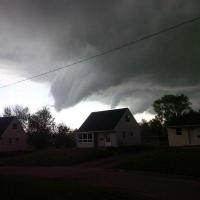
169 161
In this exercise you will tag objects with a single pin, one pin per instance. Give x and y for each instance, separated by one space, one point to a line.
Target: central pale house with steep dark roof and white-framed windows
111 128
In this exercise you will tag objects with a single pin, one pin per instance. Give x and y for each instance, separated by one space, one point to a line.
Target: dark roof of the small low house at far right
186 120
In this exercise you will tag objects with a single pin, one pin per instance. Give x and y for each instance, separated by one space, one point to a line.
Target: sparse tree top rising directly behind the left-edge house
22 114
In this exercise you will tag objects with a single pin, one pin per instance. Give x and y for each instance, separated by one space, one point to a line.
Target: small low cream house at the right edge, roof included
184 131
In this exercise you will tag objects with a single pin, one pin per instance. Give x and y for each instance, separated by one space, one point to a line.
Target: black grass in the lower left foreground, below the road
23 188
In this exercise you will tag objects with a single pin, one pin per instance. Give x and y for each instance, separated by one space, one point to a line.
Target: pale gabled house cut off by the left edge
12 135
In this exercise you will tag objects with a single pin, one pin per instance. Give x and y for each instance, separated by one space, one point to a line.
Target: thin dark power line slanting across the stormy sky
133 42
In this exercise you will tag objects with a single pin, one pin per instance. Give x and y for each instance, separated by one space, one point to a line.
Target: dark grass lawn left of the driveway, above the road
56 157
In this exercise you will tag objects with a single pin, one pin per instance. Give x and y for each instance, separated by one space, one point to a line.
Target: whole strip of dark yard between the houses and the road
160 160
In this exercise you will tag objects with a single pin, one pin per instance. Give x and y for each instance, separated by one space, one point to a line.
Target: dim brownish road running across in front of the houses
149 186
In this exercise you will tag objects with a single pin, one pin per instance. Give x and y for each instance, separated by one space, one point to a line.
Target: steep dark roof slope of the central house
103 120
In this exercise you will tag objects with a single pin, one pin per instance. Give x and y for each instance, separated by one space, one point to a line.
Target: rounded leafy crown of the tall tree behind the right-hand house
170 106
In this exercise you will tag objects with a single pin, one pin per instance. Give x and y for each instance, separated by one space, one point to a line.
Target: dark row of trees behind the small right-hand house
168 109
